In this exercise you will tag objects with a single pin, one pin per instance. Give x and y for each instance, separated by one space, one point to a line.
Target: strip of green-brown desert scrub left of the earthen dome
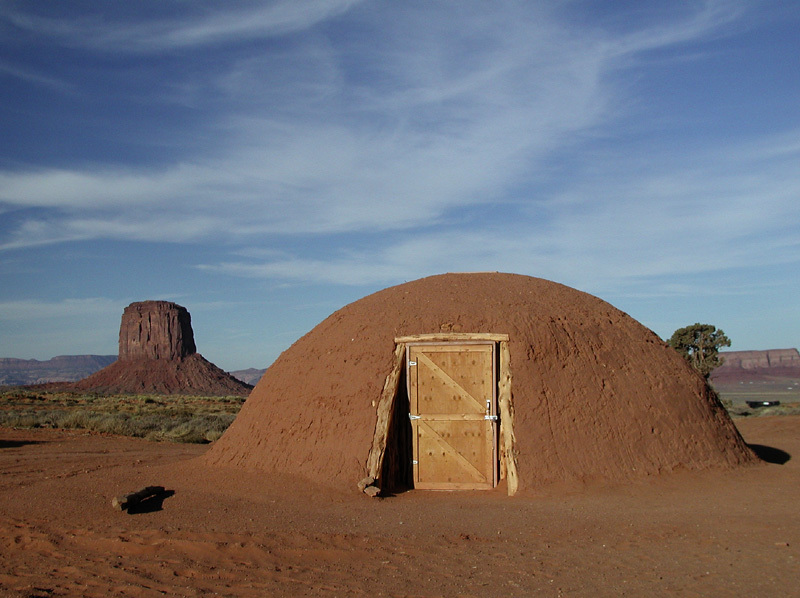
154 417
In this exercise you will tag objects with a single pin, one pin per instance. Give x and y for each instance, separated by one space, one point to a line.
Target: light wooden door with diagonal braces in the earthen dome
453 415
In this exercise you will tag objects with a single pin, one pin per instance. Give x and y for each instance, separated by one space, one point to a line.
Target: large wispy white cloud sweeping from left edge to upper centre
388 160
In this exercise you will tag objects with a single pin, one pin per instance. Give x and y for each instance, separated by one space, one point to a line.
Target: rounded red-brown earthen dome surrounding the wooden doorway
596 394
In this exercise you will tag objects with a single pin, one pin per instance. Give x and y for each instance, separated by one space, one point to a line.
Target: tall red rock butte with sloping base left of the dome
157 354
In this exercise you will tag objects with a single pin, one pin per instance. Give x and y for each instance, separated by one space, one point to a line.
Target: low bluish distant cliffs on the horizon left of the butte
64 368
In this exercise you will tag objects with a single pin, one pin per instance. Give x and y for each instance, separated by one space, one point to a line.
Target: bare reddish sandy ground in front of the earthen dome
228 533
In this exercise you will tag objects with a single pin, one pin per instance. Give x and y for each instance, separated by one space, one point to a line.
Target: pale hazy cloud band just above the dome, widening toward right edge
604 235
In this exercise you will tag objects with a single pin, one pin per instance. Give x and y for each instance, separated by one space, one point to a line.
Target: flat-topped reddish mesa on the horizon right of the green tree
752 366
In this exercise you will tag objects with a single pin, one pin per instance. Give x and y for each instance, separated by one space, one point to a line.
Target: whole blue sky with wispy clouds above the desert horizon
265 163
